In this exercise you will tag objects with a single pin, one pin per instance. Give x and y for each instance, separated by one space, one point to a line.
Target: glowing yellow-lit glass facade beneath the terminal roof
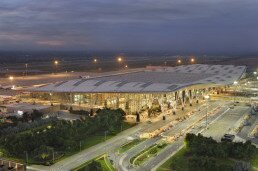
131 103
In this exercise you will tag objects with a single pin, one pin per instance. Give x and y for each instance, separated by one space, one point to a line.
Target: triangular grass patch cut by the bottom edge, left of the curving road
102 160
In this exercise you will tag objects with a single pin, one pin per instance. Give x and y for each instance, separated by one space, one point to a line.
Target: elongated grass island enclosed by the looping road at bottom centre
147 153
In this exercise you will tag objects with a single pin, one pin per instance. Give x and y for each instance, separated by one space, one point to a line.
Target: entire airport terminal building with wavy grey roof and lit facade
165 87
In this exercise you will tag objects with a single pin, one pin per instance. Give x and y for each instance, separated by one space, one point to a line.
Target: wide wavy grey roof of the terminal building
160 79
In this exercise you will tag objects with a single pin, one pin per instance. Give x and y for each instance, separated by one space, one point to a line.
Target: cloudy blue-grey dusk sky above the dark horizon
222 26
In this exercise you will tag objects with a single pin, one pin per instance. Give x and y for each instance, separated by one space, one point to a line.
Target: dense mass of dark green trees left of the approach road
61 136
